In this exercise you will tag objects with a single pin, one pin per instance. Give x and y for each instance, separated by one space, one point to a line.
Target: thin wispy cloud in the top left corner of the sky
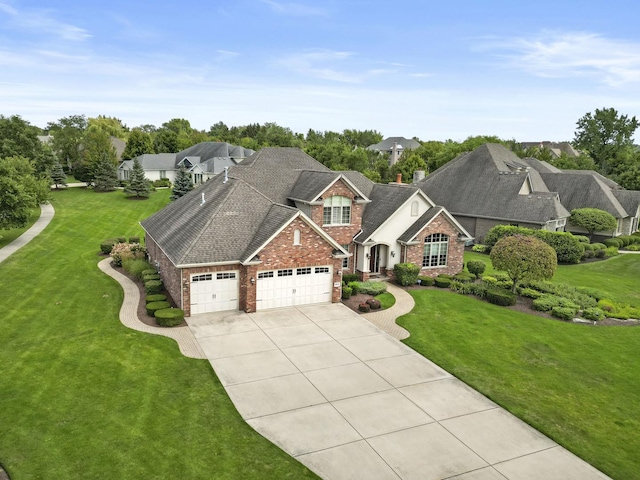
39 21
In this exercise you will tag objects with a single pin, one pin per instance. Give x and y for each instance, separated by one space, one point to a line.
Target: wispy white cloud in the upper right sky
573 54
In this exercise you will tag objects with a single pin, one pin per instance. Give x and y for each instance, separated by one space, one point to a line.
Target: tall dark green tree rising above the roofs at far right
605 134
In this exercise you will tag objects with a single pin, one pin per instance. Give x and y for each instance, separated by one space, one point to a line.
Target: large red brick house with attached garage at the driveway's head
280 229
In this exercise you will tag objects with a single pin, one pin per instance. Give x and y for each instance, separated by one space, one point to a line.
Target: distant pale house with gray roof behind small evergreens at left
203 161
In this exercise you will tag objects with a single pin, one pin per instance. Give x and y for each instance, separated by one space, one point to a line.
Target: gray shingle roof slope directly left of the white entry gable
385 200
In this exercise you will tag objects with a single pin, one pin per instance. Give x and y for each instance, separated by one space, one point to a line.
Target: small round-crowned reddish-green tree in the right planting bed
524 258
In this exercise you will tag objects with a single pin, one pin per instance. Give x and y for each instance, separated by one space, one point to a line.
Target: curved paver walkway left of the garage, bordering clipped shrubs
187 343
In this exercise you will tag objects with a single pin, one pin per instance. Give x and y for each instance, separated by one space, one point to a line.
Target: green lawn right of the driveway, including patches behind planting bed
578 384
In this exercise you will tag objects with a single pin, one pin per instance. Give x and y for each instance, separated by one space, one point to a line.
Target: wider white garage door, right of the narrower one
293 286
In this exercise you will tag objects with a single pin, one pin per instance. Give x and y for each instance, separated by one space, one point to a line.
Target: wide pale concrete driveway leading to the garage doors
351 402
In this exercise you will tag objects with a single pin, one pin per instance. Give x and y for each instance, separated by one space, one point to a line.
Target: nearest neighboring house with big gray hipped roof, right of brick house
492 186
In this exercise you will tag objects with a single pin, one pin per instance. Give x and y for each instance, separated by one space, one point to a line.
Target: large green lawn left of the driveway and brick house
83 397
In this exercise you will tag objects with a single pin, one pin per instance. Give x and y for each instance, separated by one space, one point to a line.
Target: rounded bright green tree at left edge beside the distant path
21 191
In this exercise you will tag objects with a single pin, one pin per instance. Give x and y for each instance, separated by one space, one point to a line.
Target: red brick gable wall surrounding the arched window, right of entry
455 254
